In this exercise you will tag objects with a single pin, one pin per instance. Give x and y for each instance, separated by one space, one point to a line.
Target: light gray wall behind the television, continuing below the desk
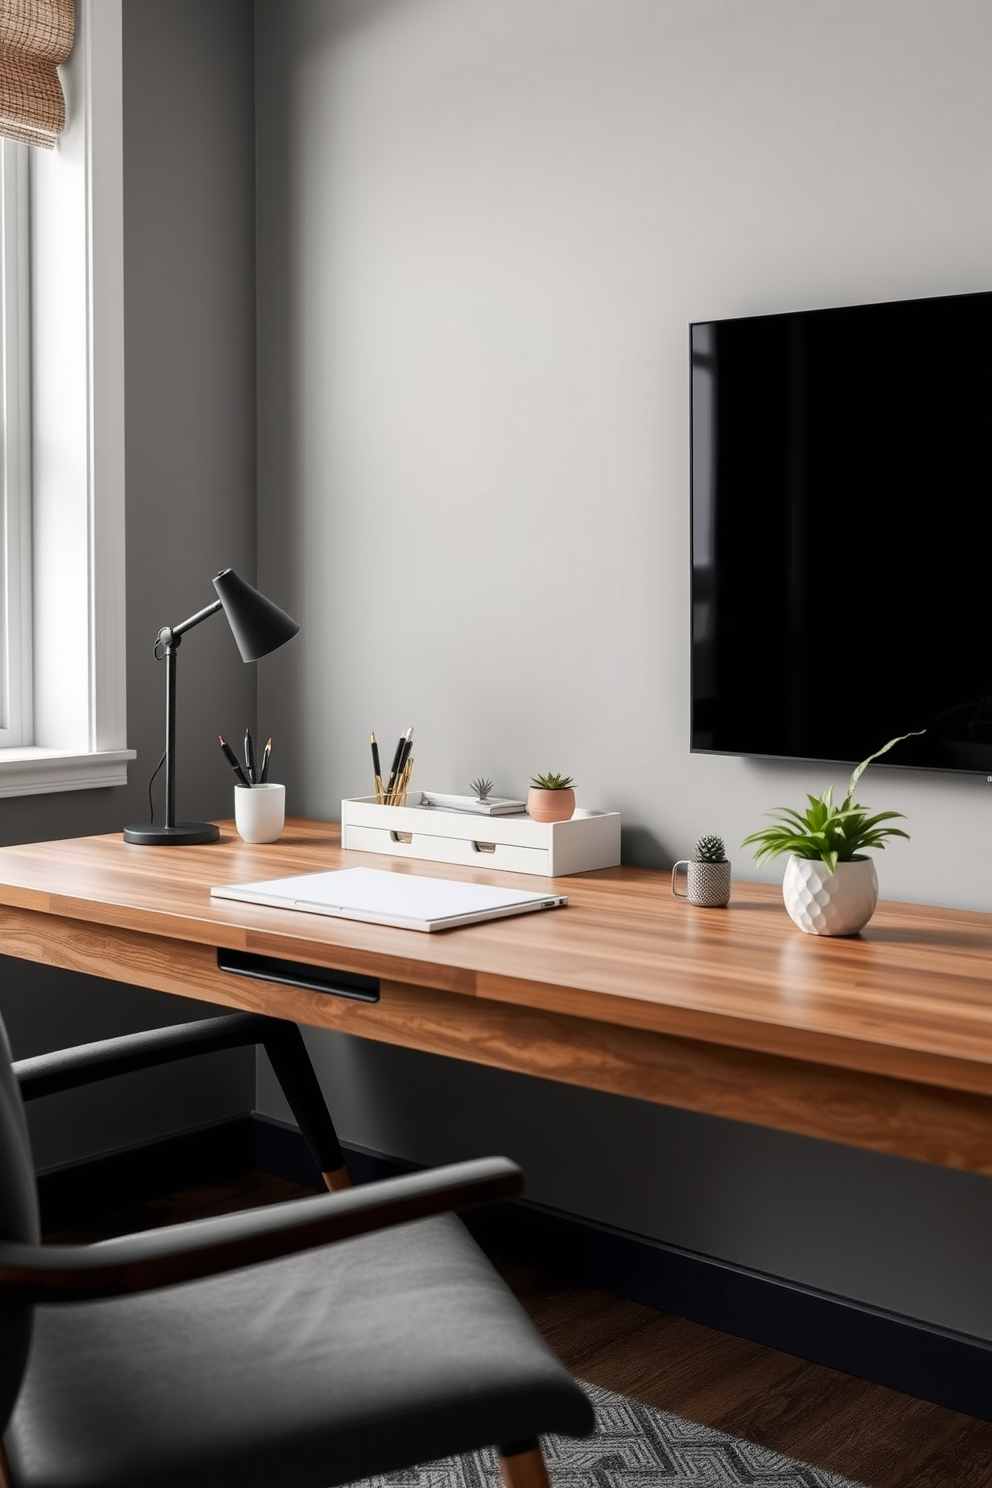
484 227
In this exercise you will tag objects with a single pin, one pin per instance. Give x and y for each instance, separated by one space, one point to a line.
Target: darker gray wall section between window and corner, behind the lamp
190 368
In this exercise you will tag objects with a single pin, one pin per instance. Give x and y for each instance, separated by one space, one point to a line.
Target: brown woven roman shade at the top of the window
35 38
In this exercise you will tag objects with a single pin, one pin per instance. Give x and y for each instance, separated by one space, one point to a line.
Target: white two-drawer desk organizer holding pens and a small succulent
515 844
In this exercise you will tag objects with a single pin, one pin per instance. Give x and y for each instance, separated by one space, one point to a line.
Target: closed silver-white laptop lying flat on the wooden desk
407 901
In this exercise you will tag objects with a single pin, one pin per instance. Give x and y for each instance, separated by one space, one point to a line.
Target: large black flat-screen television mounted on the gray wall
843 533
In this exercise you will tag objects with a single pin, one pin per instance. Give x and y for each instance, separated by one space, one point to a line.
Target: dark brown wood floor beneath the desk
872 1435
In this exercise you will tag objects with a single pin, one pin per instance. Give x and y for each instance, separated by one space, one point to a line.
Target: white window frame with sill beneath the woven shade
78 556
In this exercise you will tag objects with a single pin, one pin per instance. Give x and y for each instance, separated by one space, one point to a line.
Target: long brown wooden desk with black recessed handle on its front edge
881 1042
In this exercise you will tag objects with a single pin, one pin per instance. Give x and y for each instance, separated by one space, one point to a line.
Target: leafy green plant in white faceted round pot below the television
831 888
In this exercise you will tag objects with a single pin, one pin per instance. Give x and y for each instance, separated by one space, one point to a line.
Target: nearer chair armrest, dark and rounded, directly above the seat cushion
204 1248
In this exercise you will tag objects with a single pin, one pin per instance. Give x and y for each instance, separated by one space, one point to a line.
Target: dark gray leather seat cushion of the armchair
349 1361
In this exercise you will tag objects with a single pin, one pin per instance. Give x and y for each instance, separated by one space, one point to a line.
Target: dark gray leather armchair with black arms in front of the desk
304 1344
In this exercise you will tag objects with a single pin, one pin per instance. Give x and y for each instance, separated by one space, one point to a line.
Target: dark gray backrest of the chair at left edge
19 1221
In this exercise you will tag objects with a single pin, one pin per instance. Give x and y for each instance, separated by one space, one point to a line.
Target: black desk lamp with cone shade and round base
260 627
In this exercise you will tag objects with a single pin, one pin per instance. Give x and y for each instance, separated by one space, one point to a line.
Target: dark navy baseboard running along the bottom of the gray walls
905 1353
